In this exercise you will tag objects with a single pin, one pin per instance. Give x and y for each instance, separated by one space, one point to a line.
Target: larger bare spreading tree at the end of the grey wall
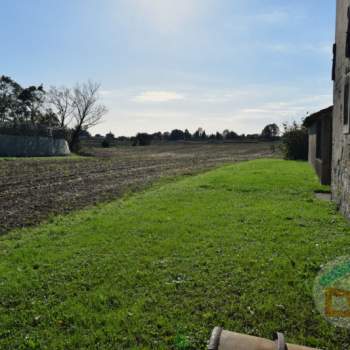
86 110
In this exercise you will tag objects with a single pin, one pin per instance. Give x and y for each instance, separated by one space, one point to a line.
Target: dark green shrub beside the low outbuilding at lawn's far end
295 144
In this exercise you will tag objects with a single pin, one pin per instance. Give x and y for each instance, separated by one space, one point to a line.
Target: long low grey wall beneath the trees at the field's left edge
32 146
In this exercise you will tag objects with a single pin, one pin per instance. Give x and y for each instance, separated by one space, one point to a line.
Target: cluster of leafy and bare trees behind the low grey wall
74 110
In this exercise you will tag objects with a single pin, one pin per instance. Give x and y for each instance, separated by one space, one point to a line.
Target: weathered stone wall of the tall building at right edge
341 139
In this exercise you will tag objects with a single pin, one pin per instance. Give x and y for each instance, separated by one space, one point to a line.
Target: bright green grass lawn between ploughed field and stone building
238 247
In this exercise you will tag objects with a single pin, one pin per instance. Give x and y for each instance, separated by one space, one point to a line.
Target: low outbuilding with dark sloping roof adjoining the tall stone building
320 143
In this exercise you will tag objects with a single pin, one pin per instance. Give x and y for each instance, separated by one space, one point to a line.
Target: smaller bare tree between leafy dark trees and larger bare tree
60 99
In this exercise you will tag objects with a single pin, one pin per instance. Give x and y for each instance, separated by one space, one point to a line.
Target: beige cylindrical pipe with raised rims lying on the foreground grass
224 340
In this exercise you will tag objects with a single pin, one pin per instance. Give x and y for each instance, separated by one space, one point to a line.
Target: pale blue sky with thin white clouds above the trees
164 64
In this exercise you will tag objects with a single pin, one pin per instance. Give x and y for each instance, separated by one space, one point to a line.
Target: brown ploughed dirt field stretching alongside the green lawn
31 190
